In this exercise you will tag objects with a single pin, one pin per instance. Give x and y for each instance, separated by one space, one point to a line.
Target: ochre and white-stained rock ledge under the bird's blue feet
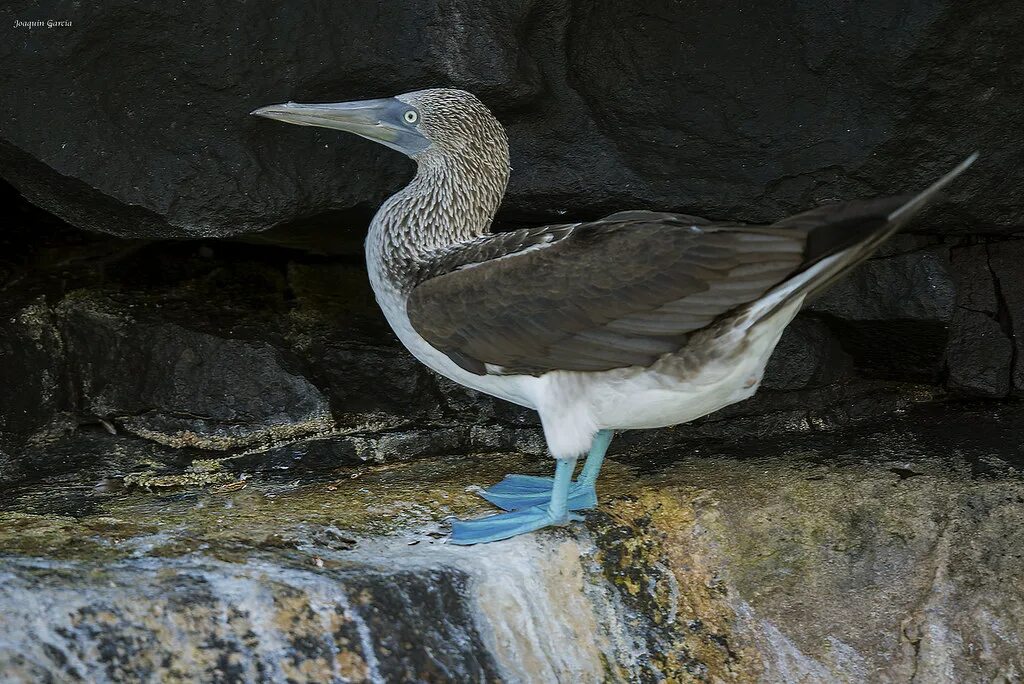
888 551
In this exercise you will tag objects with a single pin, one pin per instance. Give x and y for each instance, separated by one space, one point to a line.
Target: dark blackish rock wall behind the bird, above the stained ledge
134 121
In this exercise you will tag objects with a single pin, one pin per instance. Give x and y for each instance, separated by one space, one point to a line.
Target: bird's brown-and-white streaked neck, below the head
452 199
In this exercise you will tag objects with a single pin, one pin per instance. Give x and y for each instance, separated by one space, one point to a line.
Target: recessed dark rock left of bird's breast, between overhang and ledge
225 350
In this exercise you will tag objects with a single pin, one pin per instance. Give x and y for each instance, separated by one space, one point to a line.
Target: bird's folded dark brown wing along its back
618 292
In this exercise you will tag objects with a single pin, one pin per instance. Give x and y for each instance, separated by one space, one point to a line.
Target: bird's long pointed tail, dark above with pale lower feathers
840 237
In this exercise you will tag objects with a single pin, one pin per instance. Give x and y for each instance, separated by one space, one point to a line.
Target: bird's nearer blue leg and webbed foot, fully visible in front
554 512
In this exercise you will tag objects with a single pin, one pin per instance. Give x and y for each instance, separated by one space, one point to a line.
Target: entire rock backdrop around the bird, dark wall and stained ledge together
796 537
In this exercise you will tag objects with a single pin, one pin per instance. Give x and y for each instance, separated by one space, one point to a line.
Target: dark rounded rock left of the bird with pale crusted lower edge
184 388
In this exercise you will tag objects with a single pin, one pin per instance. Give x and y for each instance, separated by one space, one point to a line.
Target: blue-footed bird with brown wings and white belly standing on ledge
639 320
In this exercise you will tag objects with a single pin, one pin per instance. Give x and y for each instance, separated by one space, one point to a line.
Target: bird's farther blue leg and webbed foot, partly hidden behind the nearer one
518 492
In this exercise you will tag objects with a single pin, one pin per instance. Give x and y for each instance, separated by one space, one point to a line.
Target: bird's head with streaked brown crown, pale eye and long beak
425 124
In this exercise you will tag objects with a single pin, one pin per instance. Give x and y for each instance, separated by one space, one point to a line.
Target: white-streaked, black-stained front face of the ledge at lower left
218 622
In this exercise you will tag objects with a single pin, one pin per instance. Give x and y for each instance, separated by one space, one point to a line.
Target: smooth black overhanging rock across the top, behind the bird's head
598 125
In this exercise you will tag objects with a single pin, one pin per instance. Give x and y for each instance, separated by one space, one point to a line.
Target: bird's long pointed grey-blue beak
378 120
